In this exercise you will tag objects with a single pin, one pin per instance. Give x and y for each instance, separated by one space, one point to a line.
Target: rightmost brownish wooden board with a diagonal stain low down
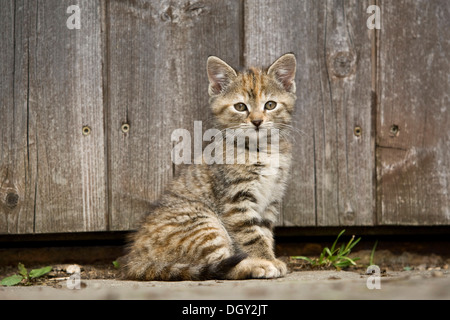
413 135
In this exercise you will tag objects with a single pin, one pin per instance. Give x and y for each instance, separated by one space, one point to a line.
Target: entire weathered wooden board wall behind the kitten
142 63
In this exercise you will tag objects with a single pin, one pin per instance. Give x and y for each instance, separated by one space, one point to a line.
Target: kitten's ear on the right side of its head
284 71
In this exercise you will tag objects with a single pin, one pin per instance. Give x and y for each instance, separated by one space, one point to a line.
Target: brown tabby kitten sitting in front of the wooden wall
215 221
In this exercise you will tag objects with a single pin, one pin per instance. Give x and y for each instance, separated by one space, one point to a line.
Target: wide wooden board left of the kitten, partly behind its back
157 82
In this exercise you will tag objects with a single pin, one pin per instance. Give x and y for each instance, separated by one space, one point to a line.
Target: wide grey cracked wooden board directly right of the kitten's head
332 174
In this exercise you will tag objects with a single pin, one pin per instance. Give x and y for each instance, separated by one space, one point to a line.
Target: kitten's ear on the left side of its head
220 75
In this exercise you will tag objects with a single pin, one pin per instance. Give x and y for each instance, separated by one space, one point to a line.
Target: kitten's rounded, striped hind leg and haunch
176 243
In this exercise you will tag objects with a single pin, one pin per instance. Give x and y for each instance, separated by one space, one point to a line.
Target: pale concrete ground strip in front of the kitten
296 285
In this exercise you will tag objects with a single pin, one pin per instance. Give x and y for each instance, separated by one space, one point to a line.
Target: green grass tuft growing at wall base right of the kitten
334 256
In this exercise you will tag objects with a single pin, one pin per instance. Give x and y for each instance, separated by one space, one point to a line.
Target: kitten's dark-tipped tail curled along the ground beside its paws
182 271
